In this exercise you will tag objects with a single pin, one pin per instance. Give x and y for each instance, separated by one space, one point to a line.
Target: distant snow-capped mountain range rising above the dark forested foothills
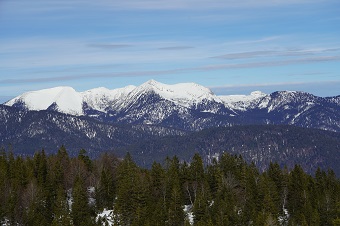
186 106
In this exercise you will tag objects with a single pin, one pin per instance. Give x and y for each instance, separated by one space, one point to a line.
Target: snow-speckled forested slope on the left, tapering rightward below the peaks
28 131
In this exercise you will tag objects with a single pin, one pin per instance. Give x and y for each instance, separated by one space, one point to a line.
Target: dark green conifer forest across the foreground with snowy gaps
62 190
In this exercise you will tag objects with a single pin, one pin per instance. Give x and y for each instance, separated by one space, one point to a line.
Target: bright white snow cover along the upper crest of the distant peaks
67 100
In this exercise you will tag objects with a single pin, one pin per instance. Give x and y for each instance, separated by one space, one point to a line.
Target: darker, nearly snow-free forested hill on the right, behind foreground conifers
287 145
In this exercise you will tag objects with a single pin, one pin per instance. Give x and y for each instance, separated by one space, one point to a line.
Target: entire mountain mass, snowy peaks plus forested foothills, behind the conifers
155 120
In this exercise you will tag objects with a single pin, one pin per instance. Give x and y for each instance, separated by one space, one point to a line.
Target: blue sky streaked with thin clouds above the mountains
229 46
